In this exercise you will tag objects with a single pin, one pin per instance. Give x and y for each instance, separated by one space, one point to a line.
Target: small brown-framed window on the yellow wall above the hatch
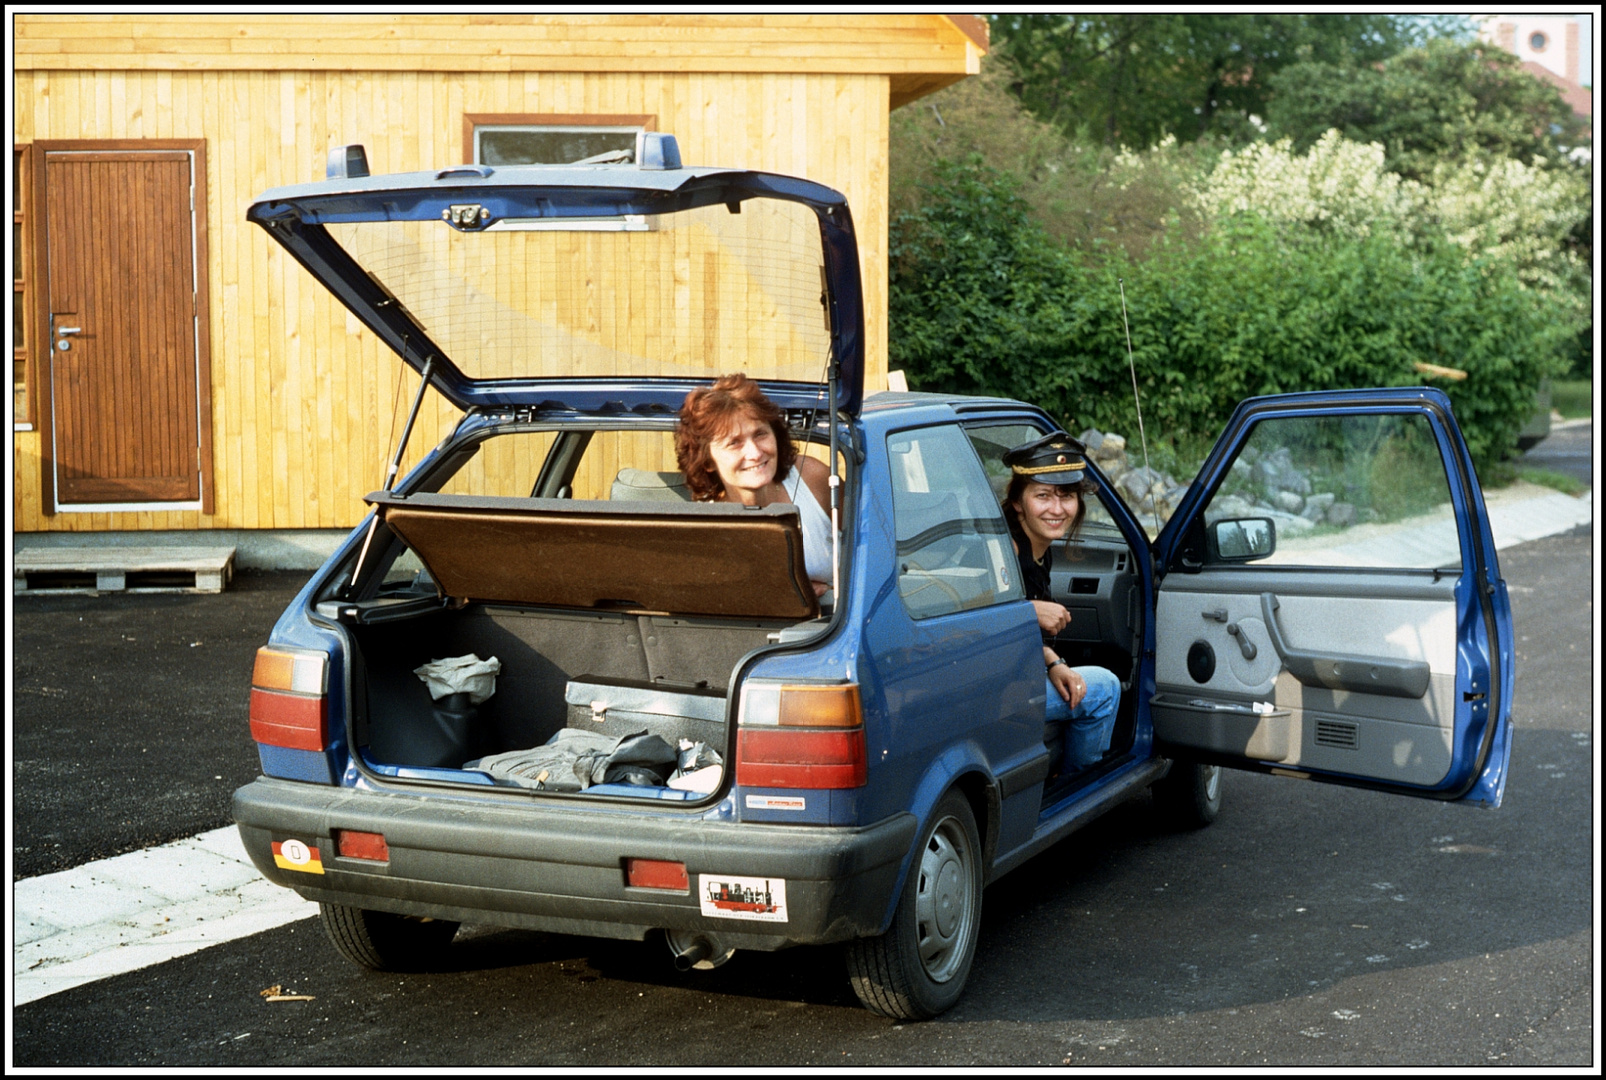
536 139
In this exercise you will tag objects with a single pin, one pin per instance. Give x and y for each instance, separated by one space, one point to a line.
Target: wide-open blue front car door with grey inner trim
1332 605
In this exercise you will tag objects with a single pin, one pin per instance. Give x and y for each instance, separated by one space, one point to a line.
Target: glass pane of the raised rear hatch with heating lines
698 293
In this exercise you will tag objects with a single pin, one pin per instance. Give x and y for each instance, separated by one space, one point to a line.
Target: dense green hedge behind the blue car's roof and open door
982 301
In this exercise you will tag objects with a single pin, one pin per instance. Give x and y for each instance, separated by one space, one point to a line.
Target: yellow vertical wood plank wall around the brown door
306 404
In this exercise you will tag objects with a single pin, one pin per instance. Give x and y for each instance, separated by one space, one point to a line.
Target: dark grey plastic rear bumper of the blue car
561 869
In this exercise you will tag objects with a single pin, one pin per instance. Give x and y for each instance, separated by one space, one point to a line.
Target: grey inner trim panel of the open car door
1319 721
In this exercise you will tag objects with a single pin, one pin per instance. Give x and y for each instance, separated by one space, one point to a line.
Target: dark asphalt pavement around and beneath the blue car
1310 927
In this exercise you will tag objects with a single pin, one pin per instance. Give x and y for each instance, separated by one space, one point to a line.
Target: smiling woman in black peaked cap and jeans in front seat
1043 507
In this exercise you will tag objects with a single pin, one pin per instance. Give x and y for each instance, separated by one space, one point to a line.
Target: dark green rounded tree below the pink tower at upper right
1445 102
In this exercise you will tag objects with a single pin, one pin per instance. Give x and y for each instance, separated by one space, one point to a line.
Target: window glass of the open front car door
1345 491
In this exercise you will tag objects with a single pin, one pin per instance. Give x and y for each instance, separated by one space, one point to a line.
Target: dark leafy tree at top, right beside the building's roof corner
1131 80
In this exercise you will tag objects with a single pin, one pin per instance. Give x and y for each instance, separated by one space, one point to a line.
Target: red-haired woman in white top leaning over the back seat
733 446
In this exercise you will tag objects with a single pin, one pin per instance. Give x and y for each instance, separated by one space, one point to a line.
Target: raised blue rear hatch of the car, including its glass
590 285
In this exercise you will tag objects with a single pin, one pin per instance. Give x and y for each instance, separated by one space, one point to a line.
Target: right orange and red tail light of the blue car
801 737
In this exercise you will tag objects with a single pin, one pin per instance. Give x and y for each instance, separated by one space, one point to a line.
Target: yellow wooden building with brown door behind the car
176 370
